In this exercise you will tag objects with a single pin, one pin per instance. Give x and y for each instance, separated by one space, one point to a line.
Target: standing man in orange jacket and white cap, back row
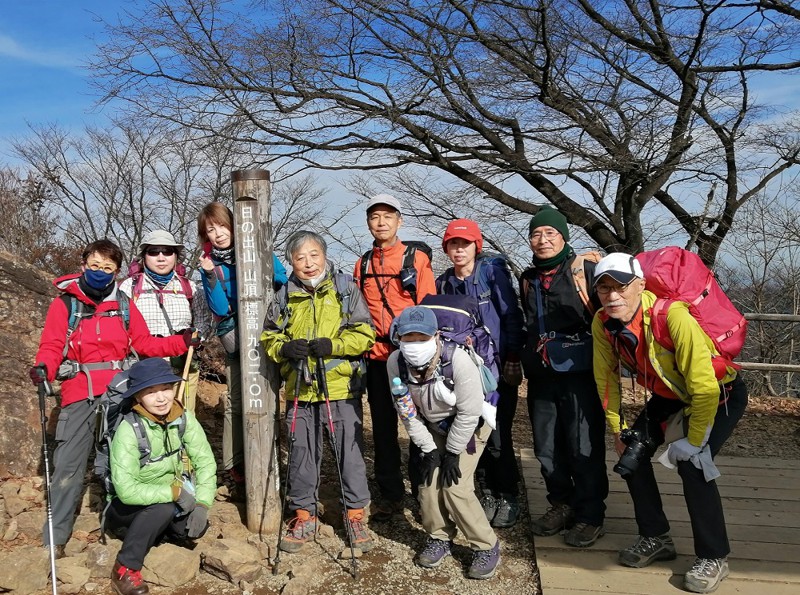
392 277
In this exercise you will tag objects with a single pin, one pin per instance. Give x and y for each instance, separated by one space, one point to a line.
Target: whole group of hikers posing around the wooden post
577 326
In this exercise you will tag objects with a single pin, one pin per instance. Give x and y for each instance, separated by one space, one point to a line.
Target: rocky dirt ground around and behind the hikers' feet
234 561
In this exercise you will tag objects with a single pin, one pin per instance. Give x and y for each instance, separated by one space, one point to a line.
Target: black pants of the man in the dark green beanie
569 441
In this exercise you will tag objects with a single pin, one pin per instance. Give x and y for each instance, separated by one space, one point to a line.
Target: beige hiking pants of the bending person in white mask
445 511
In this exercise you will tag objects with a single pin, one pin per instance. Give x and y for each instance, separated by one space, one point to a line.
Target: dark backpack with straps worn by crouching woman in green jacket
112 409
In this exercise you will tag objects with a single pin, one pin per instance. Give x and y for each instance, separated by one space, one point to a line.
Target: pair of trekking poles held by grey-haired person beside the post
322 381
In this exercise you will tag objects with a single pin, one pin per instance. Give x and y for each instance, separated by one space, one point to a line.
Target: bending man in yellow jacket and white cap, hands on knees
692 390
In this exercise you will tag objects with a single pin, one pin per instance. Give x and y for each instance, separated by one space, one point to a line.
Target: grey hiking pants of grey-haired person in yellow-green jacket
304 468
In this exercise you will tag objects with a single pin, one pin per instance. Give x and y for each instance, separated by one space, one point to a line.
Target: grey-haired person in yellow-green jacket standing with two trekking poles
321 316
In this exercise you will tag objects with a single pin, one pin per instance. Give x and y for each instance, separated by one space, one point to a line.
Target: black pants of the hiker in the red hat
497 469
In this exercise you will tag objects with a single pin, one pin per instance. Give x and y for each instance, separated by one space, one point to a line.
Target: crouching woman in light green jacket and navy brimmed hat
160 497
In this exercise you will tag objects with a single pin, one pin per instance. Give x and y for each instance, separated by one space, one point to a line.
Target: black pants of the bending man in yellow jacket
702 497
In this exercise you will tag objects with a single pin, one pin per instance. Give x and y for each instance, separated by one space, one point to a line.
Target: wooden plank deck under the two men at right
762 509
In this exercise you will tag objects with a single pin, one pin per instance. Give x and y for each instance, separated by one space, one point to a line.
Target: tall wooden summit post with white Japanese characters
260 379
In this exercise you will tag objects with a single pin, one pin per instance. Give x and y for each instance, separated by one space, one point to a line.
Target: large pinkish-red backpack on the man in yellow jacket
674 274
